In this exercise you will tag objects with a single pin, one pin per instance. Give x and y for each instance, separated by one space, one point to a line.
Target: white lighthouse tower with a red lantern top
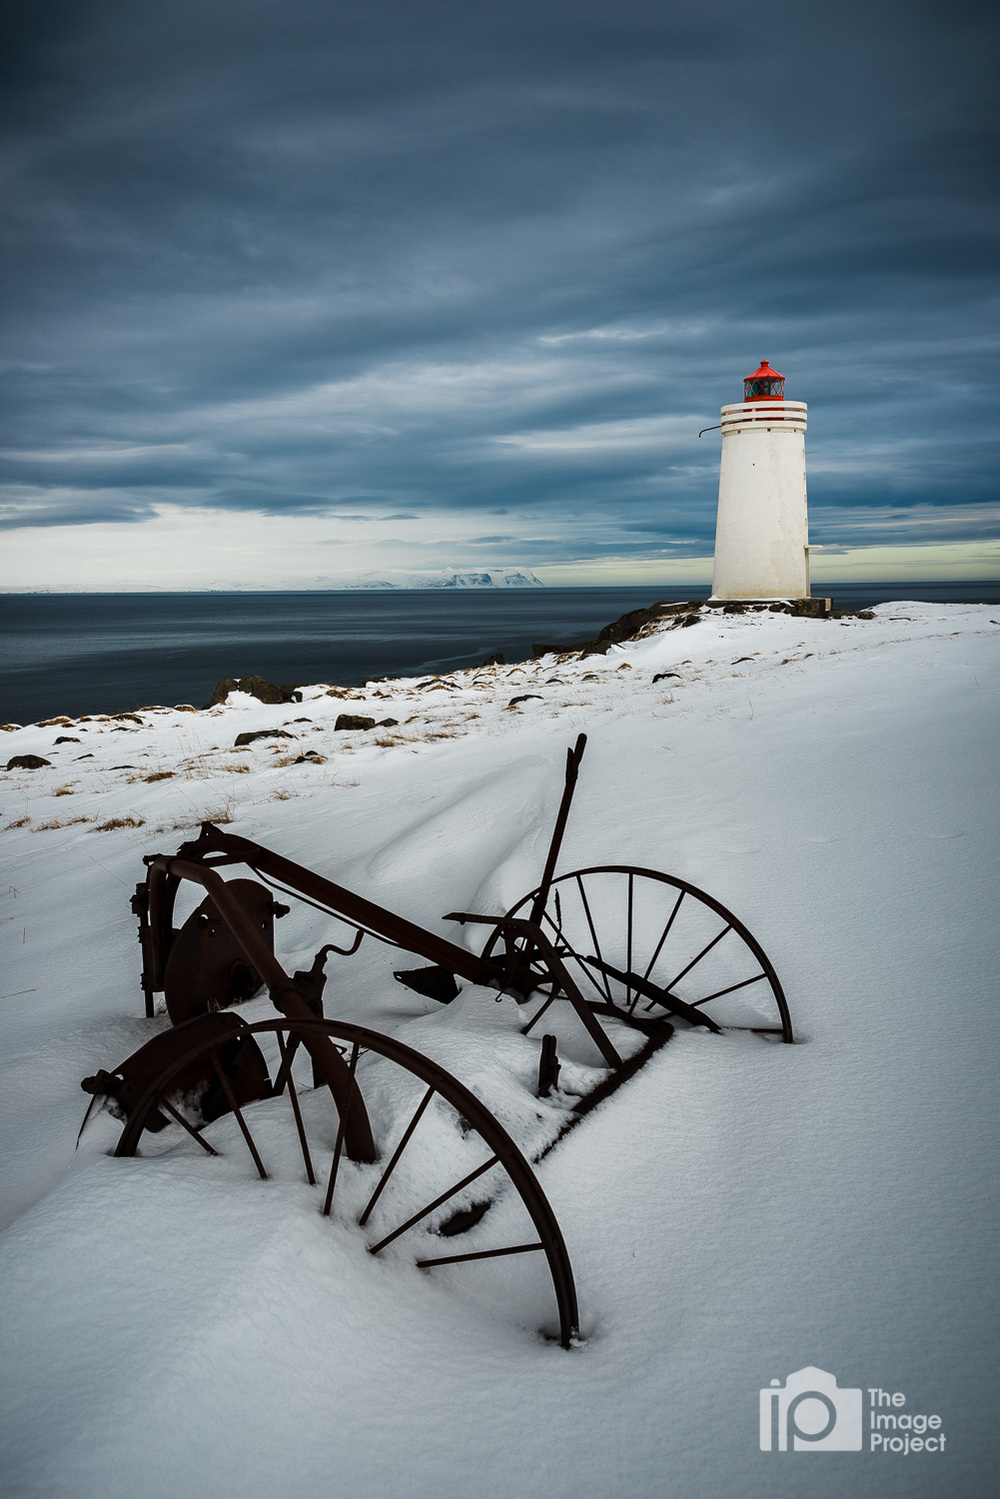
762 537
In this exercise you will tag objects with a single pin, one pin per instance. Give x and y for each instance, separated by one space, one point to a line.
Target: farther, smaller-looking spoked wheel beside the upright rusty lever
647 942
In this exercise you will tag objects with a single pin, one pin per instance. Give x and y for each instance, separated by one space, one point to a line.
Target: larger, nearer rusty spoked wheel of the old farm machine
451 1188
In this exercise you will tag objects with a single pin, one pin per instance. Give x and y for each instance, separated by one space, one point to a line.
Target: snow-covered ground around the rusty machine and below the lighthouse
737 1212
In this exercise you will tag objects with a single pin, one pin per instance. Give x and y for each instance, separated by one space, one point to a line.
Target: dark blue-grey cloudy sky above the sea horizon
298 290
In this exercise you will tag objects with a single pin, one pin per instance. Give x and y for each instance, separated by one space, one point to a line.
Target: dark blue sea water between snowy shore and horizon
107 653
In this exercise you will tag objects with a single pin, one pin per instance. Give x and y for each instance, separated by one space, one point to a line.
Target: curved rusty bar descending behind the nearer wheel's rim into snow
334 1070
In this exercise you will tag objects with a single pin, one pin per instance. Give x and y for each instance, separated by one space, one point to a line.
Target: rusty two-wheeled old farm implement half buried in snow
611 959
